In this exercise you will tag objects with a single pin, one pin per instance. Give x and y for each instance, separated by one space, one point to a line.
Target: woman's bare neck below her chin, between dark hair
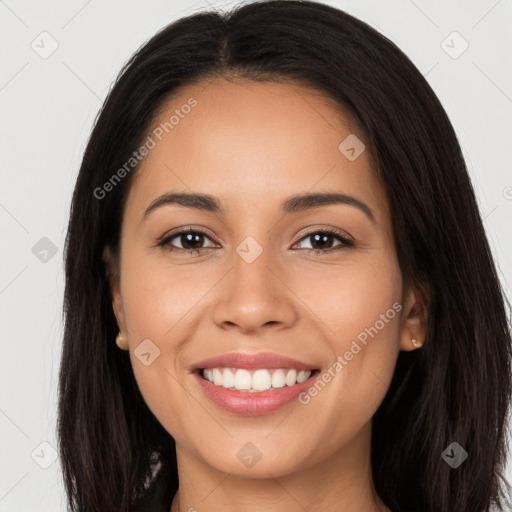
342 482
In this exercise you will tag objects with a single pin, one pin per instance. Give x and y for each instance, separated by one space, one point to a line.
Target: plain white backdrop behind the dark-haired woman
58 60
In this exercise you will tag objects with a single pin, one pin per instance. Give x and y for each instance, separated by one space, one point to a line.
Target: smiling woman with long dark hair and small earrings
274 221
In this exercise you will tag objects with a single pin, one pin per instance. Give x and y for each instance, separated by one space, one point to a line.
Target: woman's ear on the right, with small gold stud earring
415 316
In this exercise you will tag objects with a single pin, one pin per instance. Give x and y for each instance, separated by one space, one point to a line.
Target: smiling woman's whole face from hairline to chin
264 283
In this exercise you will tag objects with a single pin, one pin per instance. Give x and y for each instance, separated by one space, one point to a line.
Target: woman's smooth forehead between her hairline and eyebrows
247 141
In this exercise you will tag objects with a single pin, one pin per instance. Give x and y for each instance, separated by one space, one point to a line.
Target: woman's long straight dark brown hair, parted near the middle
115 454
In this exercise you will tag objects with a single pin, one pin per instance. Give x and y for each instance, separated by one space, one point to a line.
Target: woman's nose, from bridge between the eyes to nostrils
254 297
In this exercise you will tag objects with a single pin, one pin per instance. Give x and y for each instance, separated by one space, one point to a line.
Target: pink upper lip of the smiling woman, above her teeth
252 361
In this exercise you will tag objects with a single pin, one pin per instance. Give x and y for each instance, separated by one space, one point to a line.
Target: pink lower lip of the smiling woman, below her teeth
245 403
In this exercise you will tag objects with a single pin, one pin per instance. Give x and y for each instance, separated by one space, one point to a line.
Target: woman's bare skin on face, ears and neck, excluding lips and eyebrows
252 145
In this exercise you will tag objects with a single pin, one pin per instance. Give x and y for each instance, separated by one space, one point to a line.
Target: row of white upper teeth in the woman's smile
254 380
